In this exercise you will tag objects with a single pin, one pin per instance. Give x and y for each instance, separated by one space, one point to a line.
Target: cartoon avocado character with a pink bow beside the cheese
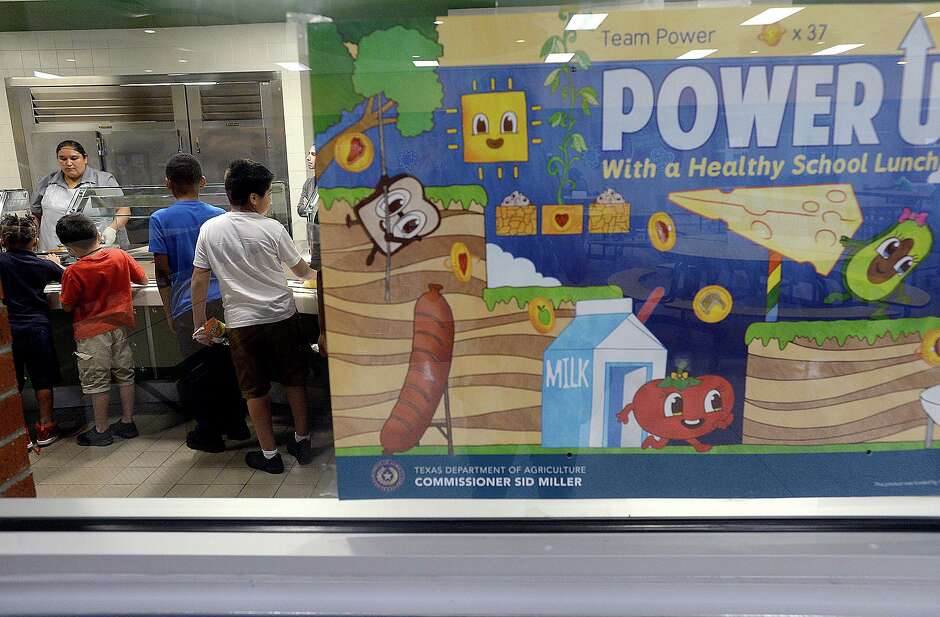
877 268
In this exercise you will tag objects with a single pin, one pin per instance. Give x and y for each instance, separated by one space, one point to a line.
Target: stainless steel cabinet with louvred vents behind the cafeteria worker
131 125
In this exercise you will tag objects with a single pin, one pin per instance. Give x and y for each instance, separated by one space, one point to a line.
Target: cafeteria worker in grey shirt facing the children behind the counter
55 191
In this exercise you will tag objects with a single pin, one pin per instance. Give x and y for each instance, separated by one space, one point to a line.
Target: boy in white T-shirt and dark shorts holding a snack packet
245 250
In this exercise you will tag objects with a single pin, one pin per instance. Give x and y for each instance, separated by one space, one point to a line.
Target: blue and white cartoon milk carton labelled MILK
591 371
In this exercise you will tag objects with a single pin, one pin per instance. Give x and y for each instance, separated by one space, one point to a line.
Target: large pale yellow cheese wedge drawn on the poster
802 223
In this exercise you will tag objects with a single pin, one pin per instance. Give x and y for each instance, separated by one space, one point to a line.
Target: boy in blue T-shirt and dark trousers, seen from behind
209 388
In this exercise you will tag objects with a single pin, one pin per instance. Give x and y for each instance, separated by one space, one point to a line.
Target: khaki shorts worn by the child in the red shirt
102 356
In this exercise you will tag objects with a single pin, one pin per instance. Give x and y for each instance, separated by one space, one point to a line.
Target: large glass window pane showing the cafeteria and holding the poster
592 256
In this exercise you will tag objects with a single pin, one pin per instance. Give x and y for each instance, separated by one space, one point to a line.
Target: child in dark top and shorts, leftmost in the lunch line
24 276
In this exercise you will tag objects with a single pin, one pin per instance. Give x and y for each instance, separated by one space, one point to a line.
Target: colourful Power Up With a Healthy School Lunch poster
684 253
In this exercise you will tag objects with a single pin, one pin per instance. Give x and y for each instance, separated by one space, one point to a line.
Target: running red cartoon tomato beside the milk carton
682 408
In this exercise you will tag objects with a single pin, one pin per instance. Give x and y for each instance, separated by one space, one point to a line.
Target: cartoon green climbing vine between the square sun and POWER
561 80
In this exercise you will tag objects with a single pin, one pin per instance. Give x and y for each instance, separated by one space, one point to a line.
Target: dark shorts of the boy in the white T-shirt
269 352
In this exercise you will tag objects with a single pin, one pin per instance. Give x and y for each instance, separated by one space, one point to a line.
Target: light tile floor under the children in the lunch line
158 464
